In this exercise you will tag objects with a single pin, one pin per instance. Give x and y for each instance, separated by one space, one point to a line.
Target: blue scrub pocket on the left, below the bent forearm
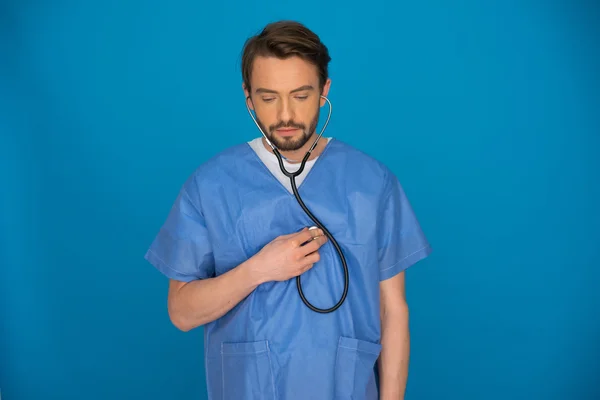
246 371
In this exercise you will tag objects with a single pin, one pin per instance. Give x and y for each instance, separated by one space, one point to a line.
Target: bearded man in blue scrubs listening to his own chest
236 239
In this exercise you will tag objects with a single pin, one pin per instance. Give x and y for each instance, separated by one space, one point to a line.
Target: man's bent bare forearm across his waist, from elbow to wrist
199 302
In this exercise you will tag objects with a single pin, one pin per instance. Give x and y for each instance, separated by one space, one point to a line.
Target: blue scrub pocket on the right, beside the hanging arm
354 369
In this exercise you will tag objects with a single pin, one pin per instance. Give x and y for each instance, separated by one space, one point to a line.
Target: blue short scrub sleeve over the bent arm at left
182 250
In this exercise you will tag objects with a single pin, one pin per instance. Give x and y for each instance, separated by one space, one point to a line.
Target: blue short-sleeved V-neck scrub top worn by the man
271 346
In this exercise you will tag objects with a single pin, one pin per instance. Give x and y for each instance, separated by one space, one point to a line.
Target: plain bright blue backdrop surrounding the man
489 114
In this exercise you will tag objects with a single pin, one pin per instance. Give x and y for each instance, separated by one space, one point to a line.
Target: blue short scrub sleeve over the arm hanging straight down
401 240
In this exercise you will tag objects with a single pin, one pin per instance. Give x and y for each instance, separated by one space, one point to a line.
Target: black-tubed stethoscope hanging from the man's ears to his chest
292 176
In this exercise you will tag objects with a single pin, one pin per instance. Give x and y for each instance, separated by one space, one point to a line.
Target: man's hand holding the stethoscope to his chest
288 256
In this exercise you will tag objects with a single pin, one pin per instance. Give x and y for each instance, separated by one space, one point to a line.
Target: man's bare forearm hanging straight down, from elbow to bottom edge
393 361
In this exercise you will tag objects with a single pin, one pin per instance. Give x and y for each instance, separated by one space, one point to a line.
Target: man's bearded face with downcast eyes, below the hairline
286 99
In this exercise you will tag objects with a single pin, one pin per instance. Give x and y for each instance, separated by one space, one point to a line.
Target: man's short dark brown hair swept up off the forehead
284 39
